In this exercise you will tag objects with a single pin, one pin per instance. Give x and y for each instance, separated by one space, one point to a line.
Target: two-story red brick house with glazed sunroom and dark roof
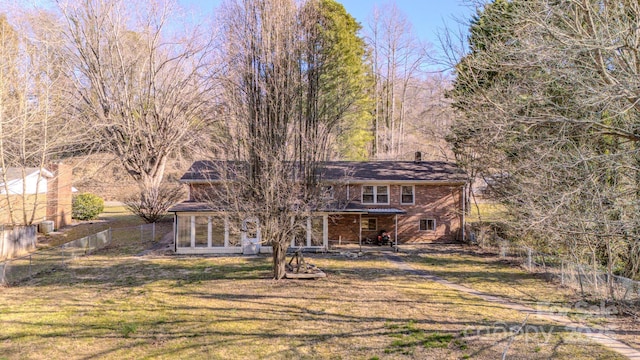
419 201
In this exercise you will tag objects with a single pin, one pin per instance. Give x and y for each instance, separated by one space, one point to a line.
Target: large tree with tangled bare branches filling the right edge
549 94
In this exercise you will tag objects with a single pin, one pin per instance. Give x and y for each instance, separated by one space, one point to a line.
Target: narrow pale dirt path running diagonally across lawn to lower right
596 335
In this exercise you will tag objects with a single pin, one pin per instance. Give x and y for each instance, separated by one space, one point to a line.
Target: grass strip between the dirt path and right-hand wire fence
487 273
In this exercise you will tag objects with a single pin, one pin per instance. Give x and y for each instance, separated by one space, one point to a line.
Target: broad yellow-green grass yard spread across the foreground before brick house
118 306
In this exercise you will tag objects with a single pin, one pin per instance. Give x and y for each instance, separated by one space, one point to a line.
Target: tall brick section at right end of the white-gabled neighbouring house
59 196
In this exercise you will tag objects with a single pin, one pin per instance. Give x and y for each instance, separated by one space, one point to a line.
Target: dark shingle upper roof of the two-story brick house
429 171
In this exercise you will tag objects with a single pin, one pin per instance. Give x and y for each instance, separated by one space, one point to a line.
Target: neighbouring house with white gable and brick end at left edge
47 192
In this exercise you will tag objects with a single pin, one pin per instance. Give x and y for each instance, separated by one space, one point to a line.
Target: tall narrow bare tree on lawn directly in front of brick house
264 93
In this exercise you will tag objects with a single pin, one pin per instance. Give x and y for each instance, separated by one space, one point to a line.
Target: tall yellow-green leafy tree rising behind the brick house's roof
336 77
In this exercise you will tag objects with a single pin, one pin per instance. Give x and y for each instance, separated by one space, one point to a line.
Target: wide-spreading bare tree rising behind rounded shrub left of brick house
144 86
